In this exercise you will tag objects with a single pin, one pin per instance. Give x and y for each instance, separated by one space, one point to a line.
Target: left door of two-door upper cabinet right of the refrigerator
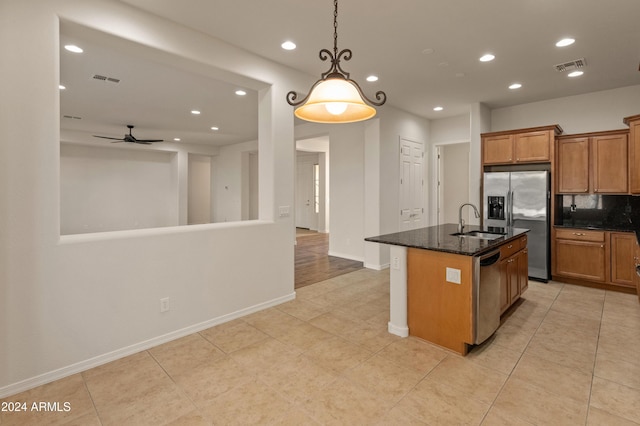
573 165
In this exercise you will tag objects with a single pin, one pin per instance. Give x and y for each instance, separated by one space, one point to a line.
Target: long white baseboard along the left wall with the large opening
81 366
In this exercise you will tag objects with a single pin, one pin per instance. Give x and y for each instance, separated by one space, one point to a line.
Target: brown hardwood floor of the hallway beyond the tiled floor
312 262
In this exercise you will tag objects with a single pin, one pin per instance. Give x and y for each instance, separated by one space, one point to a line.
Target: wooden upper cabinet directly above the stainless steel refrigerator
532 145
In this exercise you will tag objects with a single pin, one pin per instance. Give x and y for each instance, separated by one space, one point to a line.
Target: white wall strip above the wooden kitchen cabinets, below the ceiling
591 112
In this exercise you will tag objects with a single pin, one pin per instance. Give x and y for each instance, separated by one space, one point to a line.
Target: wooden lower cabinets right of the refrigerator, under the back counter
595 256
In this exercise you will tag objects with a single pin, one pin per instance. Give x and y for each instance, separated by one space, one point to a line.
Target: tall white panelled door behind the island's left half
411 185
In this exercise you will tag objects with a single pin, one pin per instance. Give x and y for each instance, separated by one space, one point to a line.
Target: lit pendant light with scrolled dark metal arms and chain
335 98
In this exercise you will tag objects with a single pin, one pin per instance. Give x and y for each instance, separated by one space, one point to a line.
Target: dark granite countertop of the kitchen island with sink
439 238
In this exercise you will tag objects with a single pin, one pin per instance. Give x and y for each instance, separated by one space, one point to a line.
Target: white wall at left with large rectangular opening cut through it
69 303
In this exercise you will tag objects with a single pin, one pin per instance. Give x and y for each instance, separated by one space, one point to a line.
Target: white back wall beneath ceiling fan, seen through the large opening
103 189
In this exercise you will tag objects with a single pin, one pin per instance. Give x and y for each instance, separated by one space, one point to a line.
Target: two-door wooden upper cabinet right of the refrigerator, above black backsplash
593 163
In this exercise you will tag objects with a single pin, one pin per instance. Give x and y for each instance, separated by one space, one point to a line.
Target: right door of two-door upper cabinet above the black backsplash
609 156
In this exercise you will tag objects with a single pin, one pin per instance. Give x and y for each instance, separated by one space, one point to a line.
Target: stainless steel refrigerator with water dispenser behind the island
522 200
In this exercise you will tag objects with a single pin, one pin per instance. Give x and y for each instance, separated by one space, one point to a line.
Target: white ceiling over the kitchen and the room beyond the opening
388 39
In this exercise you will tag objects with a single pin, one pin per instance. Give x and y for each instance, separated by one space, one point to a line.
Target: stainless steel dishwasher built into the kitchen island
486 296
